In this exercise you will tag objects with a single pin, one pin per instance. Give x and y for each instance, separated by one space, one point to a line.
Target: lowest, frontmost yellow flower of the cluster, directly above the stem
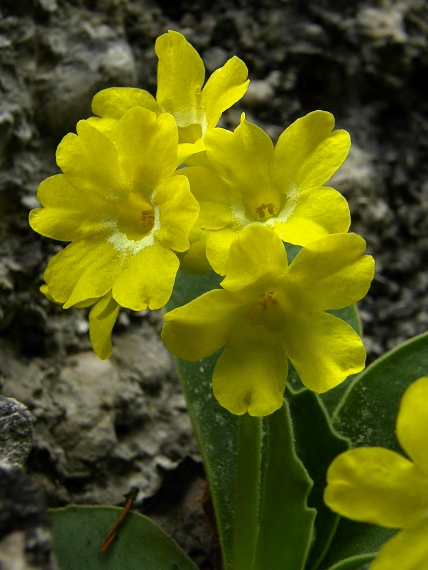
269 311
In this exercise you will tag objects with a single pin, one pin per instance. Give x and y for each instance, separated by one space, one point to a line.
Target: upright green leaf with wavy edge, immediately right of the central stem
286 523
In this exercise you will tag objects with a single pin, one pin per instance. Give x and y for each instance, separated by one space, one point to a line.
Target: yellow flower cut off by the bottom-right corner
379 486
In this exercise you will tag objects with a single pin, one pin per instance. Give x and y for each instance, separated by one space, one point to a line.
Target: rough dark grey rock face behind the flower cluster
100 428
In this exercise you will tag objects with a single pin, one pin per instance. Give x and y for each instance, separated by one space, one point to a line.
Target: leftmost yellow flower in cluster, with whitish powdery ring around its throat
125 213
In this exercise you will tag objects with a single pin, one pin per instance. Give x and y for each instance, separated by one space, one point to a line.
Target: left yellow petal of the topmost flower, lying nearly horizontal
116 101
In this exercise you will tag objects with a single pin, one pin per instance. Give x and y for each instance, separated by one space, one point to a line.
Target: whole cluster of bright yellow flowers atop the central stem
150 185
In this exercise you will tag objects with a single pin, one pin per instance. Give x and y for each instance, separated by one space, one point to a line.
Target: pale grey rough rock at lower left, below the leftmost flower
101 427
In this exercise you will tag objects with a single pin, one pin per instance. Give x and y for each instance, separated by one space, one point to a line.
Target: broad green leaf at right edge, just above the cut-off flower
368 411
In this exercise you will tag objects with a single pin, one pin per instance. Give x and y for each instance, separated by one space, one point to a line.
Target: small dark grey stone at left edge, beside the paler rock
16 431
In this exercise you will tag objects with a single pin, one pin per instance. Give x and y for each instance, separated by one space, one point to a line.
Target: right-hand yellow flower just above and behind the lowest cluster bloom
251 182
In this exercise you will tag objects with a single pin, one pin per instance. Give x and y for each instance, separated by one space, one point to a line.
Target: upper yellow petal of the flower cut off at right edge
412 423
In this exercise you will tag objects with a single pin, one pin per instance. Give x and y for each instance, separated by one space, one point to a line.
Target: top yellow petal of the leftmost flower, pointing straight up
139 129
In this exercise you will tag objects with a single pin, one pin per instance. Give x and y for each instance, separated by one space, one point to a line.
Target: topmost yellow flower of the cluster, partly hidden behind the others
181 75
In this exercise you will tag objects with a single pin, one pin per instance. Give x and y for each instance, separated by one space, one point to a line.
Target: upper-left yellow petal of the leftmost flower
90 160
